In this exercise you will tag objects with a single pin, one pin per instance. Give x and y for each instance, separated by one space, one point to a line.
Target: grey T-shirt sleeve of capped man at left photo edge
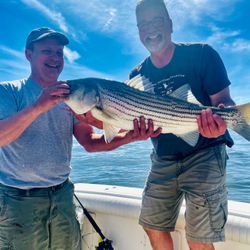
8 104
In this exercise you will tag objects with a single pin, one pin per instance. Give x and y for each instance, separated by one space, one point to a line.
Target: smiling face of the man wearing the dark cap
46 60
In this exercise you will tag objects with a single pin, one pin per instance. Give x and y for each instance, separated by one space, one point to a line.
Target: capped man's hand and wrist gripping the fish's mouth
52 95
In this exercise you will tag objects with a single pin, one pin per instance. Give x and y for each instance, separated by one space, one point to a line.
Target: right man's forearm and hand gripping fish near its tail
212 125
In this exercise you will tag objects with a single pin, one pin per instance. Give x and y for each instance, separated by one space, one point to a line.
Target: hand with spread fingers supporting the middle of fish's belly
143 131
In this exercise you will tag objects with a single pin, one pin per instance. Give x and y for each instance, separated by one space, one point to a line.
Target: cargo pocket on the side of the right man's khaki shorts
217 204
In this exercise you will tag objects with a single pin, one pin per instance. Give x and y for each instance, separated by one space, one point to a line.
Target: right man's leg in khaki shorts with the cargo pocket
203 181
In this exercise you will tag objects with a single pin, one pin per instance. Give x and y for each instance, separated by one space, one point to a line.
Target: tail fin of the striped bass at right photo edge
242 126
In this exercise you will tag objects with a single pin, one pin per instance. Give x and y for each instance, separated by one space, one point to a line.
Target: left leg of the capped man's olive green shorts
23 220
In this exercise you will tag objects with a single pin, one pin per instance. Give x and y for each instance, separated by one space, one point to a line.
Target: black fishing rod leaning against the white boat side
104 244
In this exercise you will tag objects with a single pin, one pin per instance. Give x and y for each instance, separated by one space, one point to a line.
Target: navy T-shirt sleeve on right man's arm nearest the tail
213 71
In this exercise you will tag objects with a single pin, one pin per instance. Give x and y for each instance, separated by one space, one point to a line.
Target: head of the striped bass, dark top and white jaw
83 95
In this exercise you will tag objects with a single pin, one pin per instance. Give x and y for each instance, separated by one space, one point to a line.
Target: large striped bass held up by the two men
117 104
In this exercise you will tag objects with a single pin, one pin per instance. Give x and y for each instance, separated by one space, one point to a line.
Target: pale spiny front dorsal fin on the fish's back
141 83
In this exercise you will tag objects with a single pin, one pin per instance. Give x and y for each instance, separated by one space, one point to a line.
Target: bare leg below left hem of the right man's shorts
159 240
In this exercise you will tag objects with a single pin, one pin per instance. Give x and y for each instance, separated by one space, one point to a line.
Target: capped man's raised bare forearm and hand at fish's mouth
11 128
